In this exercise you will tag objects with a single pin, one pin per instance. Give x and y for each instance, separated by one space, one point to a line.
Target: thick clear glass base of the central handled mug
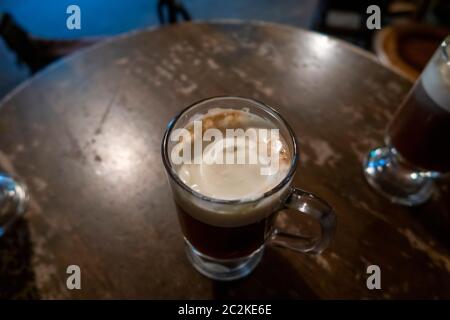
224 270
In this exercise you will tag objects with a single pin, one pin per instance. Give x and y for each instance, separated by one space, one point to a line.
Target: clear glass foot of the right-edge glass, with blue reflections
396 181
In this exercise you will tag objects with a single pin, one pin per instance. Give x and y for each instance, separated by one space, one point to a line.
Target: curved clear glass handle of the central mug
308 204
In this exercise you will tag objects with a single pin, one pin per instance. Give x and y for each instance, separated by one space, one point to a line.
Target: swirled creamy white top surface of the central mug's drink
220 180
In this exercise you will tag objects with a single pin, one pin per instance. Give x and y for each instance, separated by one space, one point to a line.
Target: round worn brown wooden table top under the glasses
85 135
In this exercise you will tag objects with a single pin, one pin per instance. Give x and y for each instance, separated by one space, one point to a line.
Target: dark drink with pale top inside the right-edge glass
420 131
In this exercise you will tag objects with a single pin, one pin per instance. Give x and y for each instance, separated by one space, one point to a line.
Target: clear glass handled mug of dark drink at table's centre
222 249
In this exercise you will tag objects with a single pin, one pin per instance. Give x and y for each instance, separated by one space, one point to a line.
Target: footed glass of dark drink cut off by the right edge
417 139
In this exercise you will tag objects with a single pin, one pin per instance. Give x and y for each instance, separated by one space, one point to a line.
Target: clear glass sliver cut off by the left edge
13 201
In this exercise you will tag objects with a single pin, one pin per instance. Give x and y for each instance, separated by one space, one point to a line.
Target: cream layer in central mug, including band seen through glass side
234 181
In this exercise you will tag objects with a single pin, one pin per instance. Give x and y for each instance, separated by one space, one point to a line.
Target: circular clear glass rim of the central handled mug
173 174
